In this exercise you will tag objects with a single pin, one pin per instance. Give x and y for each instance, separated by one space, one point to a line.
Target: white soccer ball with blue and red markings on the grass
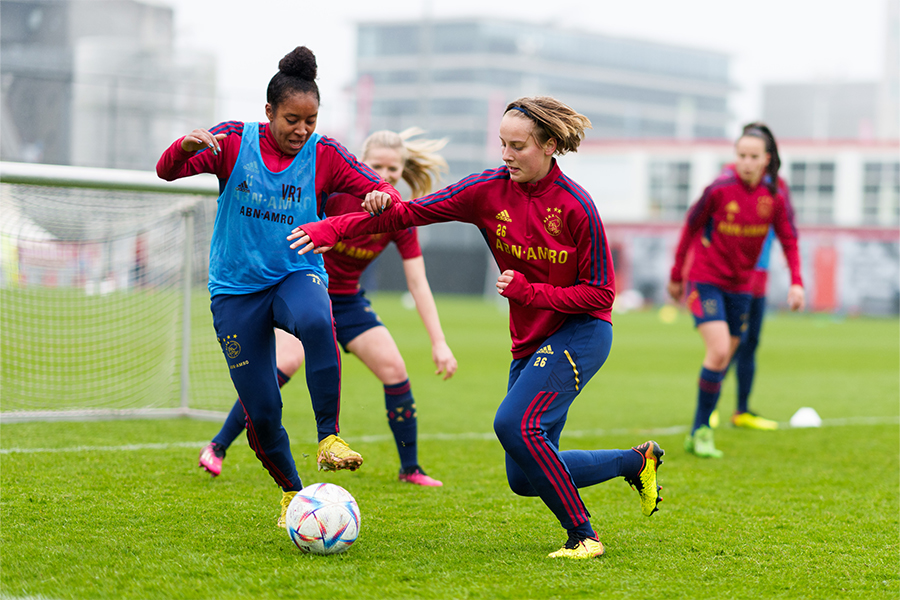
323 518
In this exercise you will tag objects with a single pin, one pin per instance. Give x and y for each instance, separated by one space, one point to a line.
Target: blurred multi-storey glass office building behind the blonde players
455 77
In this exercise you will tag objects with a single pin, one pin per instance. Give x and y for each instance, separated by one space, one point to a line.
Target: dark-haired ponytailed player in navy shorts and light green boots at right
726 230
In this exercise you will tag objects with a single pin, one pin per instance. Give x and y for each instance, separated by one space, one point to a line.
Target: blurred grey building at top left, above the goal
96 83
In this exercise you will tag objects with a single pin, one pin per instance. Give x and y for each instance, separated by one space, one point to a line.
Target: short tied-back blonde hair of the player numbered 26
552 119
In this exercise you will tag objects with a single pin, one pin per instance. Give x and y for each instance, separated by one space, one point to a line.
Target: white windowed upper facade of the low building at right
839 183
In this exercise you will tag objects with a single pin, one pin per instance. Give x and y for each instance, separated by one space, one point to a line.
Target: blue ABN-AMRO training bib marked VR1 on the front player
257 211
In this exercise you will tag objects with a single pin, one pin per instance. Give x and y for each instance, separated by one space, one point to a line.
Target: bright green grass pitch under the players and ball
807 513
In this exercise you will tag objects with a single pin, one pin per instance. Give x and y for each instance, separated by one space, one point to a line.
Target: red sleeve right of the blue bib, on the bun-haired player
339 171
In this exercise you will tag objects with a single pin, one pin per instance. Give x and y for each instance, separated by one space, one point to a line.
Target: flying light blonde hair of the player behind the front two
422 165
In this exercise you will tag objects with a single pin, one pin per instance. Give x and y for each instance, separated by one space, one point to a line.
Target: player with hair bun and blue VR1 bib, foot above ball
273 176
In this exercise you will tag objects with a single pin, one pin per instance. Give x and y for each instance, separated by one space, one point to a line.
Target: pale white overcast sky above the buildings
770 41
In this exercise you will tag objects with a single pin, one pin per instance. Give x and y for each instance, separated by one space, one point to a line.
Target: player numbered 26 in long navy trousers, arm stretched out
556 271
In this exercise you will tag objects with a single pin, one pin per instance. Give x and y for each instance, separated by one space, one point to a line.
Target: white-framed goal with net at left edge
104 311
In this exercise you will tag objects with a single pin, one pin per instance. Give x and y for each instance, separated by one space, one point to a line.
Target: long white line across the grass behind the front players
444 437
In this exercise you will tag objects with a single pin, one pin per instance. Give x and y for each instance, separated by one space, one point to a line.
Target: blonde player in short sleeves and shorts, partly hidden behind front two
359 330
